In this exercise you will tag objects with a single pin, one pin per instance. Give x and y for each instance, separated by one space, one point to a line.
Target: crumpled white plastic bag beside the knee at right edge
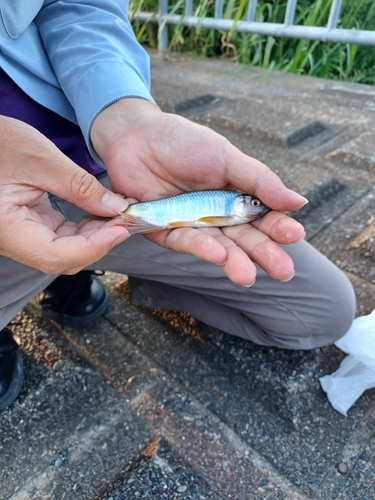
357 371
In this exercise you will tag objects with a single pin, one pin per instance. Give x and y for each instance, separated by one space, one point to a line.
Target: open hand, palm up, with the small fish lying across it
150 154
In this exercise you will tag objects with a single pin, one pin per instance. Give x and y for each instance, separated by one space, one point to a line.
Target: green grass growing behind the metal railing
347 62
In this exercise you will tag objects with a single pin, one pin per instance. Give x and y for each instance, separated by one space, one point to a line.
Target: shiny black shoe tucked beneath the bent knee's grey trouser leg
74 300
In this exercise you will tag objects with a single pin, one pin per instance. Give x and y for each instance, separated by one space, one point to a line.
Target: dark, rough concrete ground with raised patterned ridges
147 404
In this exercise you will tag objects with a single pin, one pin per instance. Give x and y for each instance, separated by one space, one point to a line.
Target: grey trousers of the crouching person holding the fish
314 309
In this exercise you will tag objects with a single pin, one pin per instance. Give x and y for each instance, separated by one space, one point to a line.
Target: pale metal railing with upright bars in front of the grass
329 33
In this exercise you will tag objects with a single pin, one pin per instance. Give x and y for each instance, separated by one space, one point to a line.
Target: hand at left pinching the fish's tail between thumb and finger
33 233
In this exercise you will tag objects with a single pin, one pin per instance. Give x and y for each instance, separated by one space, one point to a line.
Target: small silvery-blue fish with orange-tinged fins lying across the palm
211 208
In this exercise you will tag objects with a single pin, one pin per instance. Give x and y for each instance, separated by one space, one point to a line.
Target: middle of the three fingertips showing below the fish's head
262 250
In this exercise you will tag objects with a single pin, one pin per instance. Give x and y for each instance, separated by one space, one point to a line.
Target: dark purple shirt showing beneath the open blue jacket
66 135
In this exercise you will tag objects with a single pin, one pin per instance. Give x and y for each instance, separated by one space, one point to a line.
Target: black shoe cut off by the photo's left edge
11 369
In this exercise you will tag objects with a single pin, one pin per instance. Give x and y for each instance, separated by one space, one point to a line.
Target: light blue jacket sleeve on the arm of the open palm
95 56
